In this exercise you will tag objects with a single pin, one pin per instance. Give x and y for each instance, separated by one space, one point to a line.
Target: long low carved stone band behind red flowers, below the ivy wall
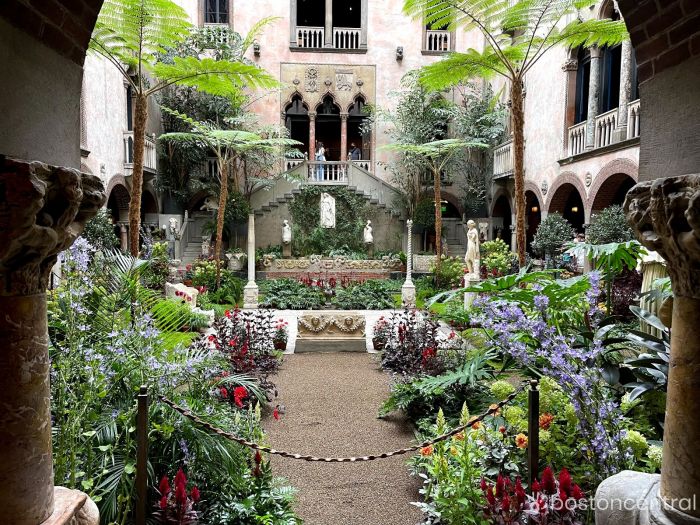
318 264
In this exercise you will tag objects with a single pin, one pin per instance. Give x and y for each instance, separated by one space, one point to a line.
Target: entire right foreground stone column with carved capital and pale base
665 215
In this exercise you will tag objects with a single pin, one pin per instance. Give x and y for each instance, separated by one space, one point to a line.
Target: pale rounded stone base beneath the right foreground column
632 498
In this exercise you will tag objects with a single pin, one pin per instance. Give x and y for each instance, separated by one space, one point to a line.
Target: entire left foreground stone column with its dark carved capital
42 211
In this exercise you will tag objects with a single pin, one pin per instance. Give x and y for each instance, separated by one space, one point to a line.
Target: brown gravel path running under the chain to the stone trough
331 402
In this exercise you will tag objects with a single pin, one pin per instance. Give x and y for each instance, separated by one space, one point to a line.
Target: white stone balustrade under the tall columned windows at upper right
606 130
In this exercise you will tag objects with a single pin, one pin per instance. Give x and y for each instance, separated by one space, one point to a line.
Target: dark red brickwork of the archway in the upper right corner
664 33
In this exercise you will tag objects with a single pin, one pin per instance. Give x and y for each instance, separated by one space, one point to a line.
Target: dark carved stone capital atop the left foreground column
43 209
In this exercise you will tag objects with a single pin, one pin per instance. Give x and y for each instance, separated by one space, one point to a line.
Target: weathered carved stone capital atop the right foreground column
665 215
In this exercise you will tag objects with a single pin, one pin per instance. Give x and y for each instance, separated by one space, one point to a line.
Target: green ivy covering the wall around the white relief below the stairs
351 214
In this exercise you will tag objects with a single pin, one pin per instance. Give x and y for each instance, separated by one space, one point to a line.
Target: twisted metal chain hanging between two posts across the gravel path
262 448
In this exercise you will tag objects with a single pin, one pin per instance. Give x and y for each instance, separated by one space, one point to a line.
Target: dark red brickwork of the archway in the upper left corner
63 25
